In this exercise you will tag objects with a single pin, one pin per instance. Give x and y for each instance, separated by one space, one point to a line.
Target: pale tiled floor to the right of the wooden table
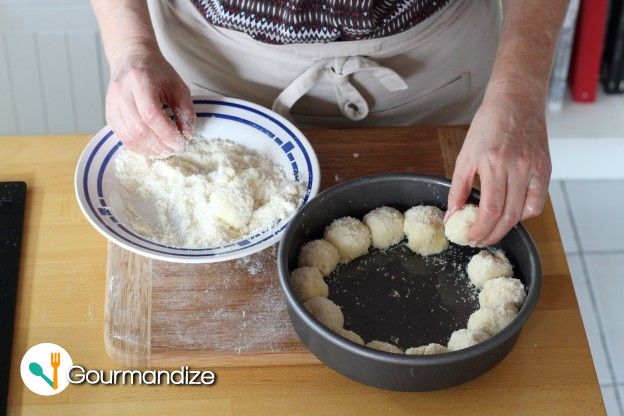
591 223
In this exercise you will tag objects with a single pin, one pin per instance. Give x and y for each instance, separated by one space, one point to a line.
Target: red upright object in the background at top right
587 51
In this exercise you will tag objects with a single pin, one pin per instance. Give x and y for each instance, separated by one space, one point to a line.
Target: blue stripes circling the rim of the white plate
243 244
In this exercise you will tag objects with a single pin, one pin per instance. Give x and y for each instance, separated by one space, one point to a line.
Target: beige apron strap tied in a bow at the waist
337 70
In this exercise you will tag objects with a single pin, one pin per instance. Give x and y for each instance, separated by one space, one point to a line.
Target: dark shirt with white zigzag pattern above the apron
317 21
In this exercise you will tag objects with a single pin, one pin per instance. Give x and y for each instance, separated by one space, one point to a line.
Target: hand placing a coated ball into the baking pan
507 146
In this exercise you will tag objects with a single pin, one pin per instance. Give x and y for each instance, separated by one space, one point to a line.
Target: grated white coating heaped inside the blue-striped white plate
213 193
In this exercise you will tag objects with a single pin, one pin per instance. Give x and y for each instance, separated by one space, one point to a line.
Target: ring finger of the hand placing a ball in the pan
517 184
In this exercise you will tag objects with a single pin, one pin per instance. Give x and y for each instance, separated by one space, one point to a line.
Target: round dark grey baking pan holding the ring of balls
397 296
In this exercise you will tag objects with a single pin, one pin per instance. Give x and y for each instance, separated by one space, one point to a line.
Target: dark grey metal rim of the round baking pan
404 359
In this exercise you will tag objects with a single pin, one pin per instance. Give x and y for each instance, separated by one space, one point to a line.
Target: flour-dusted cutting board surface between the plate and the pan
237 307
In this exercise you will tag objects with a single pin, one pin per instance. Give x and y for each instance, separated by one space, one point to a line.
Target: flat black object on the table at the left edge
12 204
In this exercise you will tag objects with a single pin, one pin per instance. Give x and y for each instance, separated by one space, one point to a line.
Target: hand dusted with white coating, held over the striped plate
141 82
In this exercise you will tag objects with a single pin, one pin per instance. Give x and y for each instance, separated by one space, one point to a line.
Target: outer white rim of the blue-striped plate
271 236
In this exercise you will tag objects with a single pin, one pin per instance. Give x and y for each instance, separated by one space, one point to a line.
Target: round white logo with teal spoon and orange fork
44 369
